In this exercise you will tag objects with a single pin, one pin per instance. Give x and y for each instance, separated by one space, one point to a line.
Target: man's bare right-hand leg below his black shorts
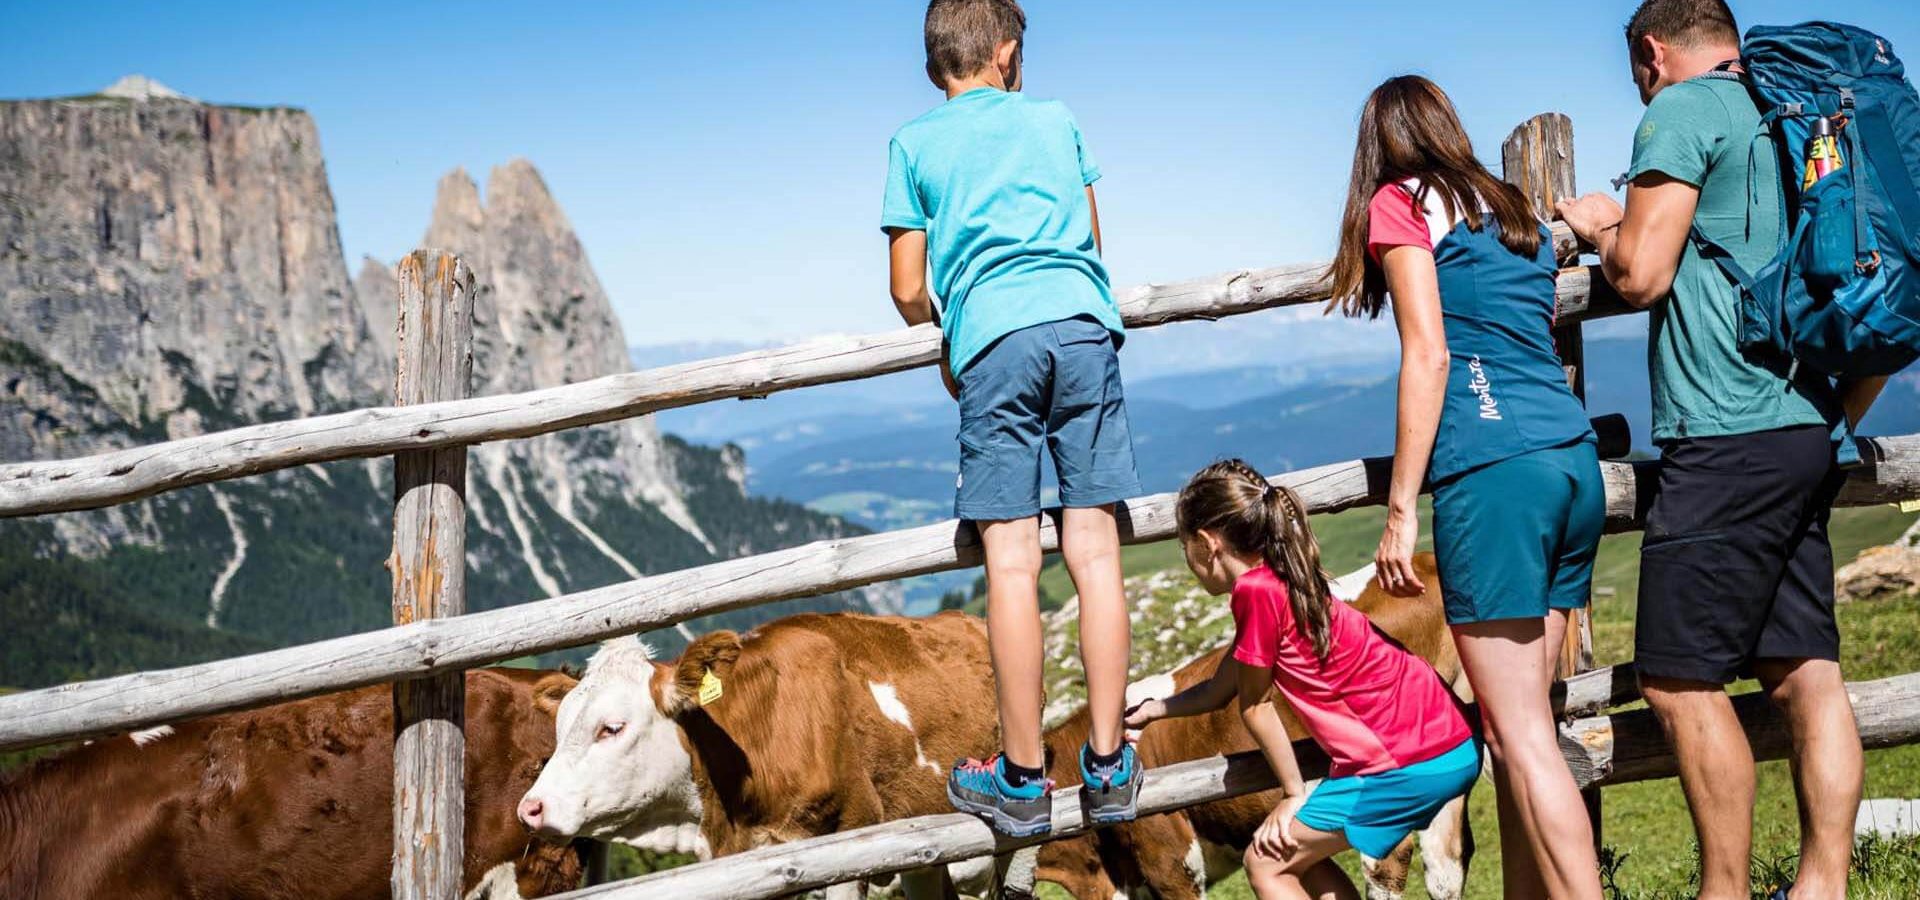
1827 769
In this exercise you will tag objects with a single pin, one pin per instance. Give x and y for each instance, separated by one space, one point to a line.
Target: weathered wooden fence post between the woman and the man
1539 160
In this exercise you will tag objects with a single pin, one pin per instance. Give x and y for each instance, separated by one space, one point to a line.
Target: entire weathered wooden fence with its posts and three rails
433 425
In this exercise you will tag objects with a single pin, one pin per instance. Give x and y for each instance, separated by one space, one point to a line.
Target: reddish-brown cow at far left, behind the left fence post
276 803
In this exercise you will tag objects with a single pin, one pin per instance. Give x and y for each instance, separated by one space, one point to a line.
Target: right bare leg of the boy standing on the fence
1090 542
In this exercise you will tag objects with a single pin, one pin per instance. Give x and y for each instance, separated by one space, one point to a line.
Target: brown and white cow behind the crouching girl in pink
1182 855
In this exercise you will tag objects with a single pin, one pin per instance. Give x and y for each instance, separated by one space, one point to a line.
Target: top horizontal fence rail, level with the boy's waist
135 473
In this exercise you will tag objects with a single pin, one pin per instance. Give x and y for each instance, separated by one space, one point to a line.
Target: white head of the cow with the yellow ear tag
619 769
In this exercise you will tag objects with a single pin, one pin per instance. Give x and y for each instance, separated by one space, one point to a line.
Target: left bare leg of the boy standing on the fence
1015 634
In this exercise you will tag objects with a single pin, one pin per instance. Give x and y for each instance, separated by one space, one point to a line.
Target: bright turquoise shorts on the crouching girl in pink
1378 813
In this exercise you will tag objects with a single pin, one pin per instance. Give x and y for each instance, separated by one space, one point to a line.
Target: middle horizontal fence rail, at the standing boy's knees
89 709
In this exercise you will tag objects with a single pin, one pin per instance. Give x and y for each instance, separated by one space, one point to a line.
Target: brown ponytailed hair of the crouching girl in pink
1255 517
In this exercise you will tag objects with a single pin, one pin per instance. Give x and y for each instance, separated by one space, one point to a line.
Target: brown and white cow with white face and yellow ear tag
804 726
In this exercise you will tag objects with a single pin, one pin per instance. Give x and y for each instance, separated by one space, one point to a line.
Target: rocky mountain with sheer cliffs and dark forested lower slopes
172 268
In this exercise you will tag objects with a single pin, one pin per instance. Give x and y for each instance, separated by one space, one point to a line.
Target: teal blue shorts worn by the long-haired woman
1518 538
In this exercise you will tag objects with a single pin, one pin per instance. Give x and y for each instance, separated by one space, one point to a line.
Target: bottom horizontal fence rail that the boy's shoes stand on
1602 751
